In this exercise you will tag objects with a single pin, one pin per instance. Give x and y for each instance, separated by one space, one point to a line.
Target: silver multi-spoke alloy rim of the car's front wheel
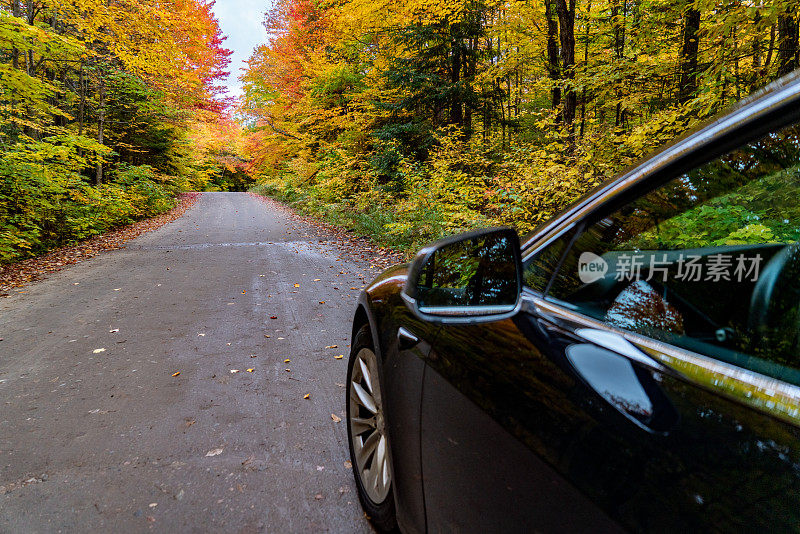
367 428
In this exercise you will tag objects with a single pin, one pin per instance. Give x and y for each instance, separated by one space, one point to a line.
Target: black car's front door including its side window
653 381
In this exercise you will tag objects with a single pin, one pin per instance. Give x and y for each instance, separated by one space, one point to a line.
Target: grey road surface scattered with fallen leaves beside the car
96 434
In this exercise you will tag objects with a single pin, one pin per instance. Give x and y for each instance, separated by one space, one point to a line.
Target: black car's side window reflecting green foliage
709 261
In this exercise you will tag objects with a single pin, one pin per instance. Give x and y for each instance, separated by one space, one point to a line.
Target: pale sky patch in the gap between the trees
241 22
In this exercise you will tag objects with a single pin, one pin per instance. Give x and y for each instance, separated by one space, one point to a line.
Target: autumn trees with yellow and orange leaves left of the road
101 103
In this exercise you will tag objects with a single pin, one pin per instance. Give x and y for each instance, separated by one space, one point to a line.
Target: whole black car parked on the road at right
633 365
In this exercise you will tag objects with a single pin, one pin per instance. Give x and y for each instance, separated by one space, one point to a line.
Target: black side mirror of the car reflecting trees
469 278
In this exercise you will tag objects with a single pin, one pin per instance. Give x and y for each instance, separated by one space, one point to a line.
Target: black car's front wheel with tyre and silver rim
366 430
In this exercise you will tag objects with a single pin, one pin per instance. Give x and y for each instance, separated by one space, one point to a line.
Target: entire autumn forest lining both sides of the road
402 120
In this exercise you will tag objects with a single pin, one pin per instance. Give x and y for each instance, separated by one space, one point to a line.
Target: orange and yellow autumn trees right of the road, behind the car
408 120
